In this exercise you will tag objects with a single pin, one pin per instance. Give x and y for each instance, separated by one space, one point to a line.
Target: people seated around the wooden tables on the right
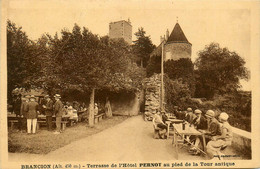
217 133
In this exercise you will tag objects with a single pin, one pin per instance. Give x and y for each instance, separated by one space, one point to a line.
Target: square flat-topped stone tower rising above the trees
121 29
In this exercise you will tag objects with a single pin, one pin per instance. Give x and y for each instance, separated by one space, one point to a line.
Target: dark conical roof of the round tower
177 35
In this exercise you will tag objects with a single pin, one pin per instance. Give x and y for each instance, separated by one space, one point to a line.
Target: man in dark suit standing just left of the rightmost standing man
48 112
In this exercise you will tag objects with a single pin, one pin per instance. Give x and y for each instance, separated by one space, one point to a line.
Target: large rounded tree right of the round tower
218 71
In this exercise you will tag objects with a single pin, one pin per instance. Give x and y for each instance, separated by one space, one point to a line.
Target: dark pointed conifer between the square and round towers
142 47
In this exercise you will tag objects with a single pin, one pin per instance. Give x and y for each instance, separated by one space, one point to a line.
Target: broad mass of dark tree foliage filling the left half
77 60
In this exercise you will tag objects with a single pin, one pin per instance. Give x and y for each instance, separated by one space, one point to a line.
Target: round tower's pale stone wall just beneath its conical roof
176 51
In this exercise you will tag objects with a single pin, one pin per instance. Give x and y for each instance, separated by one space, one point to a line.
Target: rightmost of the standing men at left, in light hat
58 107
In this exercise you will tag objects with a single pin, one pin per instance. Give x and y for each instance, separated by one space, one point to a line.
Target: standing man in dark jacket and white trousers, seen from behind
33 110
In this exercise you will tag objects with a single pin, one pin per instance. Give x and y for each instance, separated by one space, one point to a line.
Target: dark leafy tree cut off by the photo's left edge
21 63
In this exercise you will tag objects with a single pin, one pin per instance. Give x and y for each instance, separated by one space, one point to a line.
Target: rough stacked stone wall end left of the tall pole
152 87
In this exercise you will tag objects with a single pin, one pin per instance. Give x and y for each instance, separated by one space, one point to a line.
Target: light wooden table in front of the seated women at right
187 132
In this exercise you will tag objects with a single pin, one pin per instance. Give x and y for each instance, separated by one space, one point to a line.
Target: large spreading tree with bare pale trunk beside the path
86 62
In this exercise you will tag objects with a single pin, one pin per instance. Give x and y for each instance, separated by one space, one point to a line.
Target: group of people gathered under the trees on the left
27 110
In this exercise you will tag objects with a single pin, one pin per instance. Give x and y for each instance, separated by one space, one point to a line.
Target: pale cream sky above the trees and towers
228 23
